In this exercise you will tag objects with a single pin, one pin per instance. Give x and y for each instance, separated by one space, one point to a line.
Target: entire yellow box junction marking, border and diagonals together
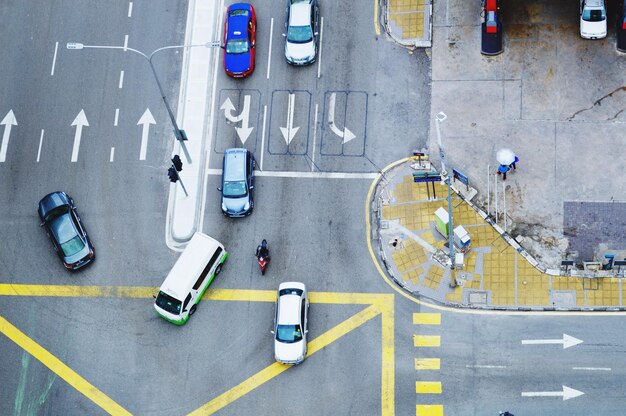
379 304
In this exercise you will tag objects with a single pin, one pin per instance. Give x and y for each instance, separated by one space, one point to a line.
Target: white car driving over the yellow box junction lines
290 323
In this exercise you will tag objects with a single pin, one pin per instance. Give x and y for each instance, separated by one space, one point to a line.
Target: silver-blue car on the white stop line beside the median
237 183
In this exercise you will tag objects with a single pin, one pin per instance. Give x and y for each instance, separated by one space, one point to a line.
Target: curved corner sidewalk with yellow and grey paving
497 273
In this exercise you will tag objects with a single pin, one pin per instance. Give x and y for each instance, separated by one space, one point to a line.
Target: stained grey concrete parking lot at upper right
554 98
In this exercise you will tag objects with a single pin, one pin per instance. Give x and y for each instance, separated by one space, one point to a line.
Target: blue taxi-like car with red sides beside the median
239 40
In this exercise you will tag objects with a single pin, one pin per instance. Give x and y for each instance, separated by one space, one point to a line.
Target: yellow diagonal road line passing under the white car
275 369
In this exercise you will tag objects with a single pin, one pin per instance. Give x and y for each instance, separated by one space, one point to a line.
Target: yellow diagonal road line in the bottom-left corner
59 368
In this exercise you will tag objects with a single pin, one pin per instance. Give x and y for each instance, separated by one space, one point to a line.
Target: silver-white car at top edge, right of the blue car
302 31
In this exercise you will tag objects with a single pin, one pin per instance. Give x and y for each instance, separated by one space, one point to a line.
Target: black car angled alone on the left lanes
70 240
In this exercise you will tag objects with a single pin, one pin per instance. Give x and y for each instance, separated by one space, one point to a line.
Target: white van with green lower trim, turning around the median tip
191 275
